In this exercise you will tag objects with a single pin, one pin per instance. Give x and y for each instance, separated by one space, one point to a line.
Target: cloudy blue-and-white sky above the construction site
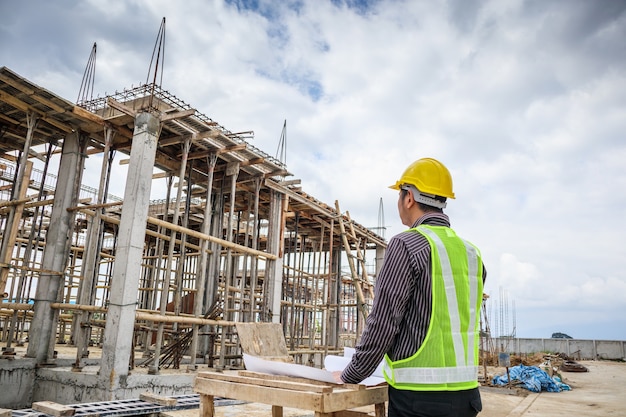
524 101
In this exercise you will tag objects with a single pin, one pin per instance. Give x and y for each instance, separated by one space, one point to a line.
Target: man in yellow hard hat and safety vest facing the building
425 317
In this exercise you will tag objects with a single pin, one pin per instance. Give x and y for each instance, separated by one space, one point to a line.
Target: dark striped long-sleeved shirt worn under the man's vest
400 316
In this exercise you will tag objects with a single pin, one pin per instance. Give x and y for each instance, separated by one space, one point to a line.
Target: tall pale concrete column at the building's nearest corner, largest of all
118 333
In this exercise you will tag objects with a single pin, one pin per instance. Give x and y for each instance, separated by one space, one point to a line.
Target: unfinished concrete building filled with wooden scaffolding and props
161 284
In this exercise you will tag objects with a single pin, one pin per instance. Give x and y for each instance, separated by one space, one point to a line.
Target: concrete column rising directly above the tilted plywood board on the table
274 269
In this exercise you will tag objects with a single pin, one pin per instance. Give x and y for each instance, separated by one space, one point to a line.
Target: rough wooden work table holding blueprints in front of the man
325 399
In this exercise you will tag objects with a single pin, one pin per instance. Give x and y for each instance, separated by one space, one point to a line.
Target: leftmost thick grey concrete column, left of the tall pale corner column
57 249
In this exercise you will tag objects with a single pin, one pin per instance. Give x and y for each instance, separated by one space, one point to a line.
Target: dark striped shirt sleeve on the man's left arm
392 292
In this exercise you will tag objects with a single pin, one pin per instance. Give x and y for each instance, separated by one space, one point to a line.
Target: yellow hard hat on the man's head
429 176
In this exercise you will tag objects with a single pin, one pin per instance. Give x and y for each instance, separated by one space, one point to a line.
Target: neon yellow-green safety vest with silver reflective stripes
447 360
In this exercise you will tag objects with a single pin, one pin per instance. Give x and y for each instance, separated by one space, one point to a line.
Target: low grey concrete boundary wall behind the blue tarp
574 348
